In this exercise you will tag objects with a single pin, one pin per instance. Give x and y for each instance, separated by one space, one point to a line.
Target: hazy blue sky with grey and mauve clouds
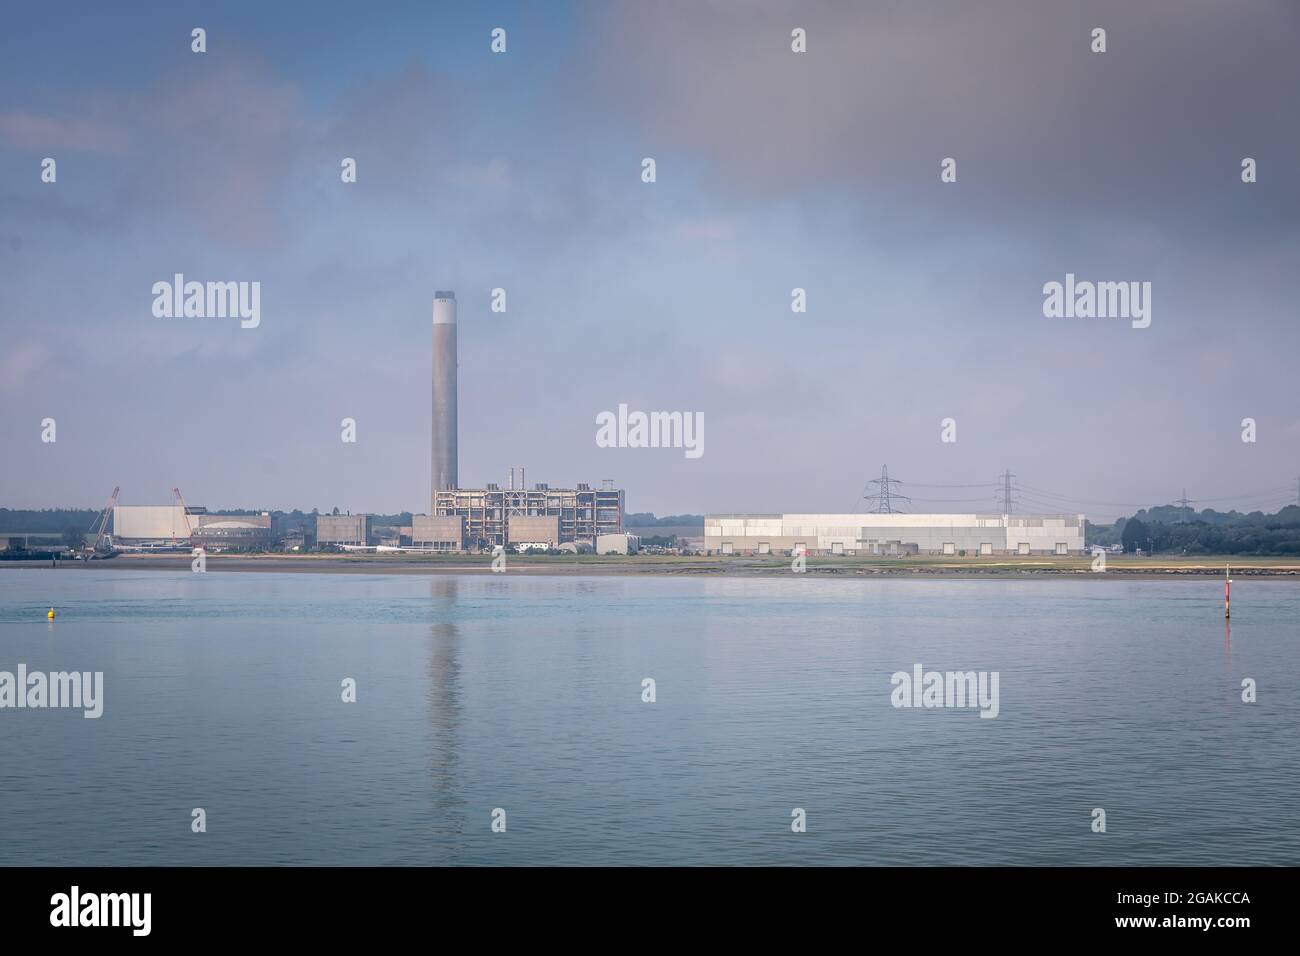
774 171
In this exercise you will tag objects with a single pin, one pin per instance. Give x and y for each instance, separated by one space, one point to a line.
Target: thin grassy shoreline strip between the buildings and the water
924 569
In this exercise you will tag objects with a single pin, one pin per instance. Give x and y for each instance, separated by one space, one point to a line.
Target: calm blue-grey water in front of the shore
223 691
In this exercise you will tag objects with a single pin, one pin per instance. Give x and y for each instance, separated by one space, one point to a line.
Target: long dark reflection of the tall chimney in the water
445 711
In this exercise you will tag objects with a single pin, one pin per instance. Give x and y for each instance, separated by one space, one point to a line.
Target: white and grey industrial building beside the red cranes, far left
149 527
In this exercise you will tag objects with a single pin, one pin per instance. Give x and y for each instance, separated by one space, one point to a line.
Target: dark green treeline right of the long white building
1164 531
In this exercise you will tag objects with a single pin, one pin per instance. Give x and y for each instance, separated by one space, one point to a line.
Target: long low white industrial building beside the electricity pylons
894 534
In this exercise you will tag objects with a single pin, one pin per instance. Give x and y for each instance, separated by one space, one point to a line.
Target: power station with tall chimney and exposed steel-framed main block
484 518
